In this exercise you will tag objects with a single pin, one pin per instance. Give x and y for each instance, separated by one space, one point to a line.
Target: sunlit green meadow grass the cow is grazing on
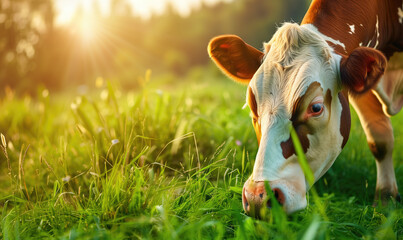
167 161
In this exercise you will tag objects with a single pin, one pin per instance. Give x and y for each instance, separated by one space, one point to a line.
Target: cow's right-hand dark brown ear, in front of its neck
362 69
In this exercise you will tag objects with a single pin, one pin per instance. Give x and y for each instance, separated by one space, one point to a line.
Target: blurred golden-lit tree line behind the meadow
34 52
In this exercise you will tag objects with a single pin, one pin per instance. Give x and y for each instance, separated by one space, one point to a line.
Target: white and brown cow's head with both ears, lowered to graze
298 80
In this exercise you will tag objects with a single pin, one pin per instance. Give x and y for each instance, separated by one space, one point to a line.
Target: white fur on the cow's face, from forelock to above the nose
277 87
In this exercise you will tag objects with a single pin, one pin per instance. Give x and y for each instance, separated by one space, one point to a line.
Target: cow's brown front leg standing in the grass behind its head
378 129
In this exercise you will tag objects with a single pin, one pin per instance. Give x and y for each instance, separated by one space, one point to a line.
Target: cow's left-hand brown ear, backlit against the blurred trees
234 57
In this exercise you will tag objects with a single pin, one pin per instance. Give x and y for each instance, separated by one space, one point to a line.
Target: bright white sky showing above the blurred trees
145 8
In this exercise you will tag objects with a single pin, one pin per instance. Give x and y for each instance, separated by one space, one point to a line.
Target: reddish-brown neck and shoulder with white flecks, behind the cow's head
348 24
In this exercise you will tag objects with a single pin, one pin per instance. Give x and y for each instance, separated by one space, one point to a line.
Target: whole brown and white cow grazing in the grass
305 77
